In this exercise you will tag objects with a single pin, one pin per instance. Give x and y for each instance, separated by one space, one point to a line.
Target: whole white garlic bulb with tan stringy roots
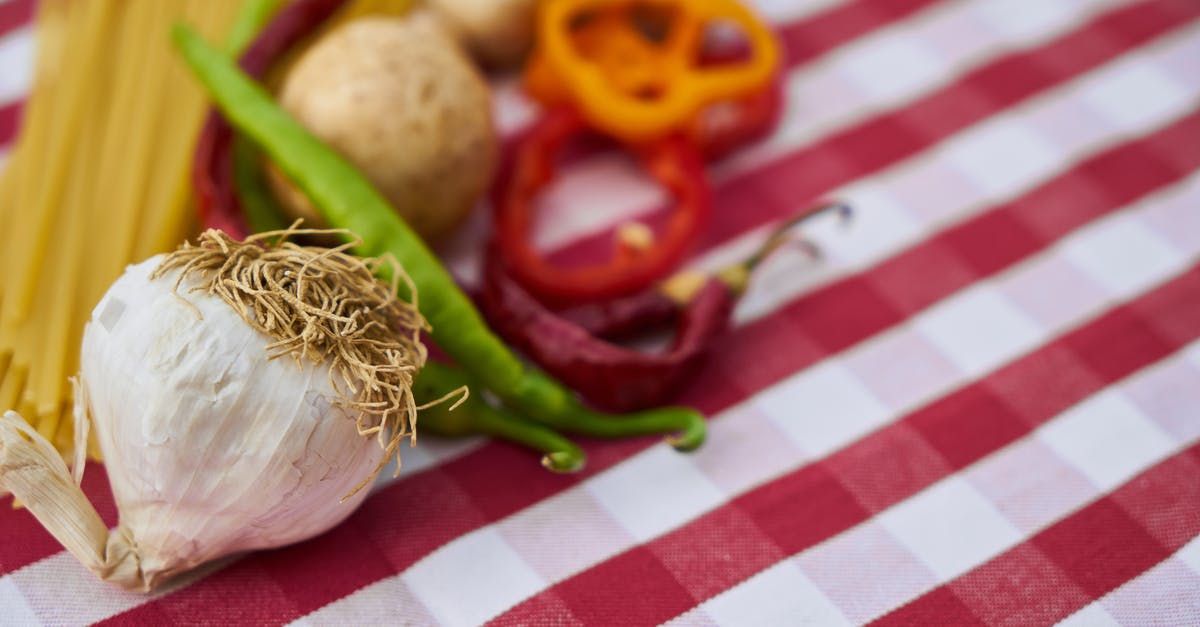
237 398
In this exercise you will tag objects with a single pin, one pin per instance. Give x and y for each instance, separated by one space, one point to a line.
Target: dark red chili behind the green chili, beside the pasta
213 180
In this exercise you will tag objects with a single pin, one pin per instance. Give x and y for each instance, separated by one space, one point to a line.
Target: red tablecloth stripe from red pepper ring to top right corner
793 182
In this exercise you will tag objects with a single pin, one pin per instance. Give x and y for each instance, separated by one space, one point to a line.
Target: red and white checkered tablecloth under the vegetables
982 407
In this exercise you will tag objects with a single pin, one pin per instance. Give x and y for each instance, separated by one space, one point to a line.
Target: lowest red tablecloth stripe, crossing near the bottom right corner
1078 560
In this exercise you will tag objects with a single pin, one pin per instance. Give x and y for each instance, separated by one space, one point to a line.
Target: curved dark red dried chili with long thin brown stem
573 345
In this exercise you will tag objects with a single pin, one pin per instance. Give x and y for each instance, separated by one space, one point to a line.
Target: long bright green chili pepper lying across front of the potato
349 201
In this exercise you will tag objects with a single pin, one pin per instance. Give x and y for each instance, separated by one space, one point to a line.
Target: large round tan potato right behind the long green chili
401 101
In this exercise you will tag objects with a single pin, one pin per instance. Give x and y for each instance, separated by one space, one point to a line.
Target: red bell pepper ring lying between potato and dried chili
675 163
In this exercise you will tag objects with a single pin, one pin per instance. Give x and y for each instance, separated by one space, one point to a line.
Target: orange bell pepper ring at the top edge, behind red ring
633 68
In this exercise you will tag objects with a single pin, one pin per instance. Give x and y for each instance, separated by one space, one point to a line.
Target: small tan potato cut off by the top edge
499 33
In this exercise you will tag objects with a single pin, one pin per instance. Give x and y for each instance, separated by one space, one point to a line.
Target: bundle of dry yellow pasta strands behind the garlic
100 164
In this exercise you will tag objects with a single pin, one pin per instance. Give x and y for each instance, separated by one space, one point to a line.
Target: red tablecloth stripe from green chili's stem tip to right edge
841 315
